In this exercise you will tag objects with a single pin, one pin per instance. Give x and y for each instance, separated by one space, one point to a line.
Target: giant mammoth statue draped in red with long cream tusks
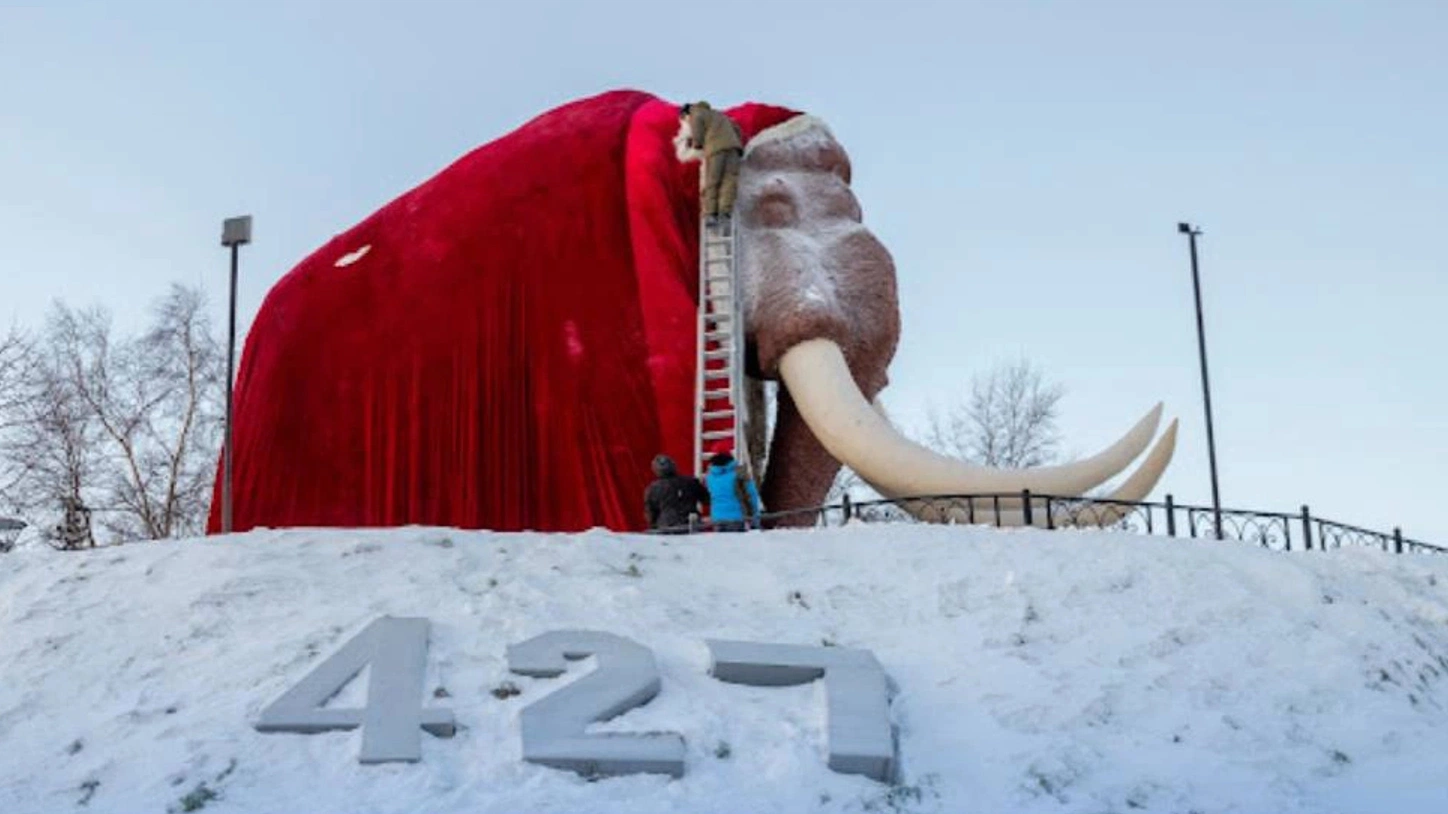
512 343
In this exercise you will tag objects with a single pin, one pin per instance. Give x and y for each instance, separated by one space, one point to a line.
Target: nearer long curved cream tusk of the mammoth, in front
855 434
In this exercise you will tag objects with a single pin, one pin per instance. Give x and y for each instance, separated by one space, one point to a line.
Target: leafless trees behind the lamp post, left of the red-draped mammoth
124 428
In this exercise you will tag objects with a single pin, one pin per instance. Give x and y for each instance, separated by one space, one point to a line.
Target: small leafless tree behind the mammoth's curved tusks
1009 422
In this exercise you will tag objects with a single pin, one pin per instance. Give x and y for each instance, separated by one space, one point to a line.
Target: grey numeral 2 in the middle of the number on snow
626 679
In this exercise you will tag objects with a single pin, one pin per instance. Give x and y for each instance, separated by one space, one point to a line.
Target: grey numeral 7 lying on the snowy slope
858 697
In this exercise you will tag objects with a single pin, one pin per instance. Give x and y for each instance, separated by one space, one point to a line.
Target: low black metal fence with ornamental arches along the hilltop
1278 531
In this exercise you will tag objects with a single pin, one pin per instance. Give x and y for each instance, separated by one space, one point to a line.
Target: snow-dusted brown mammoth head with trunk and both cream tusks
823 319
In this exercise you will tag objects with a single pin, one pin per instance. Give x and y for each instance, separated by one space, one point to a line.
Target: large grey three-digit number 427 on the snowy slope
554 729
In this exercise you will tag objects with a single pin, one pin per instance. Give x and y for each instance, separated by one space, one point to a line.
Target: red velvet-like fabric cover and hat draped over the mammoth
510 353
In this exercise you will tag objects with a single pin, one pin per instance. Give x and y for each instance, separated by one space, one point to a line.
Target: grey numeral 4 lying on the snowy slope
397 653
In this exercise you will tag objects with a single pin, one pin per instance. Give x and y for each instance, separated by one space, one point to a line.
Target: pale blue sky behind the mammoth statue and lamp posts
1024 161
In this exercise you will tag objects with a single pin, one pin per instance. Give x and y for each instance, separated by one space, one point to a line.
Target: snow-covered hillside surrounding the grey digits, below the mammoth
1032 671
